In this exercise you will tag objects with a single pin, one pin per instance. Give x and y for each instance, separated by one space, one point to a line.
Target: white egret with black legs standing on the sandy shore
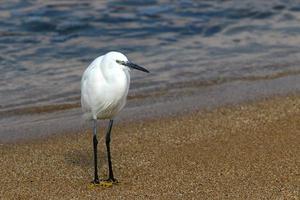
104 89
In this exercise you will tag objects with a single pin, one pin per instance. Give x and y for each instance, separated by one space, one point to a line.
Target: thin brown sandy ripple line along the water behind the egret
166 90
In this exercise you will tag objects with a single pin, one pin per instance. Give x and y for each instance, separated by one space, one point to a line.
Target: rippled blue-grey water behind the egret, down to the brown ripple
46 45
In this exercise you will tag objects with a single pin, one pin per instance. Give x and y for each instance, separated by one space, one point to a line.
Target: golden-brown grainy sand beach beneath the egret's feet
247 151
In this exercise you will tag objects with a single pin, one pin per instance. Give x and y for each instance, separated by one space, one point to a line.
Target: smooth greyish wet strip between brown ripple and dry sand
37 126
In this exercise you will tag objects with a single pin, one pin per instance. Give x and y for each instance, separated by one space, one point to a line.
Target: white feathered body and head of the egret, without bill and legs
104 86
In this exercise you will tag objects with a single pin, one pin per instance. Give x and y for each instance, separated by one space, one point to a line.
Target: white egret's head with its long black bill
122 60
